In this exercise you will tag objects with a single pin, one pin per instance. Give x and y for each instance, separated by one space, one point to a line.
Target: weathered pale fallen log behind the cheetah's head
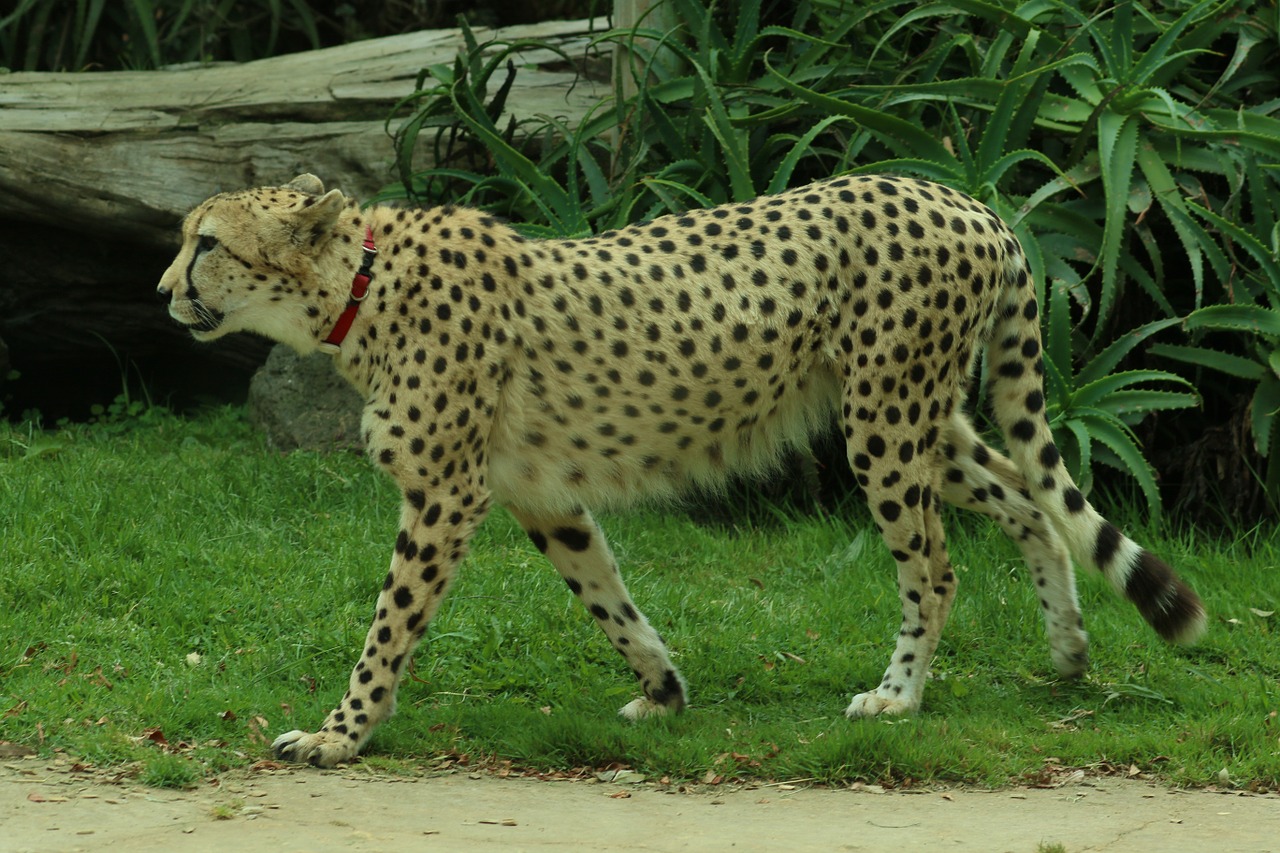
129 153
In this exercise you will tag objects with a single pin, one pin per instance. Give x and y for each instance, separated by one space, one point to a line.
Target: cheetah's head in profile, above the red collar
263 261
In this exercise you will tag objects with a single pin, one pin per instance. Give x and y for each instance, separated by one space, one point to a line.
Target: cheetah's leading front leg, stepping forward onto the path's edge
432 542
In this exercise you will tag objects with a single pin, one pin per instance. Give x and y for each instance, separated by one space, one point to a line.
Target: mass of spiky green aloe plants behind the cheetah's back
1131 148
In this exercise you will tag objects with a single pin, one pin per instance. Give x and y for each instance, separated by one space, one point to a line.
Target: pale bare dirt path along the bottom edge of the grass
47 806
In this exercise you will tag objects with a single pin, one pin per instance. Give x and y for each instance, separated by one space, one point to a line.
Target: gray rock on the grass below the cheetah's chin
303 404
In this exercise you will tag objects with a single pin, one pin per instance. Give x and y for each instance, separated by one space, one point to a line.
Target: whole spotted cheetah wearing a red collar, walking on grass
557 377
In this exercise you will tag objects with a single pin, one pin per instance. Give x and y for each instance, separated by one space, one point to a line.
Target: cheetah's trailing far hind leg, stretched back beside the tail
980 478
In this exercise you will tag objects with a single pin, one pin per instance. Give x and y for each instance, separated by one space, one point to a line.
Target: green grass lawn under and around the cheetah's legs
126 550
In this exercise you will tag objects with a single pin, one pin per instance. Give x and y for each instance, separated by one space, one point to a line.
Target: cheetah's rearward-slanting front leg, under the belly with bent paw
577 548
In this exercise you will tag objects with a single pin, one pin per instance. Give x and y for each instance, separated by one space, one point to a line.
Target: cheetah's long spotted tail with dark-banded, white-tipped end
1016 378
